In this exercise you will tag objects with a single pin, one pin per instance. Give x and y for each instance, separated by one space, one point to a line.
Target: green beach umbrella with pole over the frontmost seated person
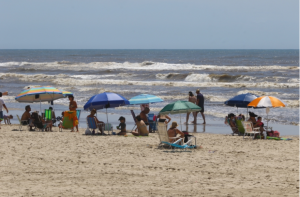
180 107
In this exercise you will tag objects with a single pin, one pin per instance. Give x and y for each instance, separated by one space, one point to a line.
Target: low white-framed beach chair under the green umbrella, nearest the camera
165 139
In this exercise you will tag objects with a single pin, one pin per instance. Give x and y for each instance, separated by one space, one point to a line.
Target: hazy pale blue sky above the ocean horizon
149 24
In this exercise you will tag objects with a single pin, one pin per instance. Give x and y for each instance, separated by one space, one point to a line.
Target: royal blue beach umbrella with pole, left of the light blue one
105 100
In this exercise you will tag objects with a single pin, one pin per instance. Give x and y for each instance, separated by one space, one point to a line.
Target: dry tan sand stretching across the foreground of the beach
72 164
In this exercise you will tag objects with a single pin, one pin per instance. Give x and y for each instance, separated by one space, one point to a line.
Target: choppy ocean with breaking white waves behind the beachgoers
169 74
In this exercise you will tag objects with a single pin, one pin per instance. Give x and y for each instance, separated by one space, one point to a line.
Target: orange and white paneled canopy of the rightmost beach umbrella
267 101
